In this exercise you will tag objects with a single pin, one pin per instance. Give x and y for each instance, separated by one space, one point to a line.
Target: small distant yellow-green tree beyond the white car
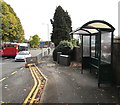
35 41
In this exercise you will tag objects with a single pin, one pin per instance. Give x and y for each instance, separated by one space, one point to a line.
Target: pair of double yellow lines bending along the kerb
31 98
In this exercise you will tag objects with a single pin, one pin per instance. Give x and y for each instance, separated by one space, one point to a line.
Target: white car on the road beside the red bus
22 55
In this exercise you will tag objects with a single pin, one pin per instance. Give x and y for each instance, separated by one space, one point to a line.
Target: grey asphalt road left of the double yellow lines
16 80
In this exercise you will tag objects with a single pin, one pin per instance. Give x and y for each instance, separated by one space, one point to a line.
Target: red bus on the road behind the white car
10 50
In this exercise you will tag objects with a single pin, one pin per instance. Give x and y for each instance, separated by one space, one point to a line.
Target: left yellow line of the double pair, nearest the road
35 85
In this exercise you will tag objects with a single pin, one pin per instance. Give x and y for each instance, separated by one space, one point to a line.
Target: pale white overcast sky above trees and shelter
35 15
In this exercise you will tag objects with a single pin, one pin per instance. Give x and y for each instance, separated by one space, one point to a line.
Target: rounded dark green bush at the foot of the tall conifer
65 47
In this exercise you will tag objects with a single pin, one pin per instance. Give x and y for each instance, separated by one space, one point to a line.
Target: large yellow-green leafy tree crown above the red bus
11 28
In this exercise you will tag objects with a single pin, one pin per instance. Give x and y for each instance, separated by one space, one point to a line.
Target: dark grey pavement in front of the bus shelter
66 84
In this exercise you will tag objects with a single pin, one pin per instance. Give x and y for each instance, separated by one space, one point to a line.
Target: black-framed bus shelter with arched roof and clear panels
97 49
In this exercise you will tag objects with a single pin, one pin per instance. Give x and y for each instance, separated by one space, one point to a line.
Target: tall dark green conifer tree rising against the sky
61 26
